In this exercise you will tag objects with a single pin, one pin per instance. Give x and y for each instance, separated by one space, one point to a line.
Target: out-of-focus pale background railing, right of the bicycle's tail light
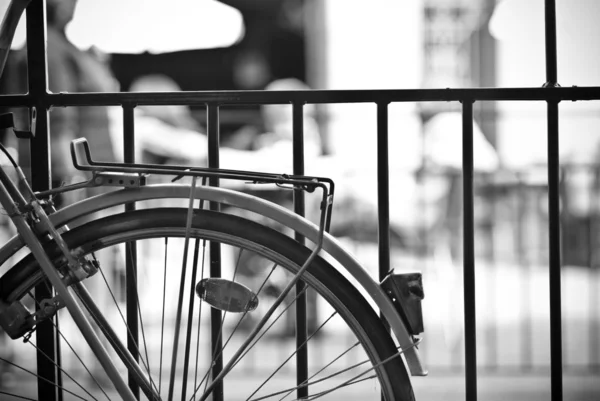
512 254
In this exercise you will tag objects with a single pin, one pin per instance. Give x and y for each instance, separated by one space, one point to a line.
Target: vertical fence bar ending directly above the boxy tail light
383 190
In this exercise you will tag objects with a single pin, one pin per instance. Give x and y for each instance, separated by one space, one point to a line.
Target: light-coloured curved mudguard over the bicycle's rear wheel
244 201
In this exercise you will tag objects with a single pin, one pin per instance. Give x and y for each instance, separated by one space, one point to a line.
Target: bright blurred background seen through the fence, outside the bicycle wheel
390 44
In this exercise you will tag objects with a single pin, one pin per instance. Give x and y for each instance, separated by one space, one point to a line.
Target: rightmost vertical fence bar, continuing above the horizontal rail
554 207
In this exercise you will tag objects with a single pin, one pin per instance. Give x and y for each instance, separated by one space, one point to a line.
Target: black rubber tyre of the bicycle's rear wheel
245 234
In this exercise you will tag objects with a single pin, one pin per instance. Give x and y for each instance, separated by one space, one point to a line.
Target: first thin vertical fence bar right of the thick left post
131 255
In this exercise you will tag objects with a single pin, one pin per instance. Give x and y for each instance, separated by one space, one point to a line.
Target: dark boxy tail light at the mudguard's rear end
406 291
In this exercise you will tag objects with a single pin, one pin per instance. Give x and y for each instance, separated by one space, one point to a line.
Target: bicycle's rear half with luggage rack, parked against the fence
68 260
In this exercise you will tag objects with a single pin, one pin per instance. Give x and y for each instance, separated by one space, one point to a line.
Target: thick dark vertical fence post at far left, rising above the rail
47 339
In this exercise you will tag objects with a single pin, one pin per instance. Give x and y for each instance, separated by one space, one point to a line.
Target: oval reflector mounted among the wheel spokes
226 295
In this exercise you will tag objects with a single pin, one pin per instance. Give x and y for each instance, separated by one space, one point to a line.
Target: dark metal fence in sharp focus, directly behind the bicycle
38 98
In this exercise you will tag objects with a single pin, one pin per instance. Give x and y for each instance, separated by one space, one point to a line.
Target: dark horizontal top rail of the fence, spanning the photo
314 96
